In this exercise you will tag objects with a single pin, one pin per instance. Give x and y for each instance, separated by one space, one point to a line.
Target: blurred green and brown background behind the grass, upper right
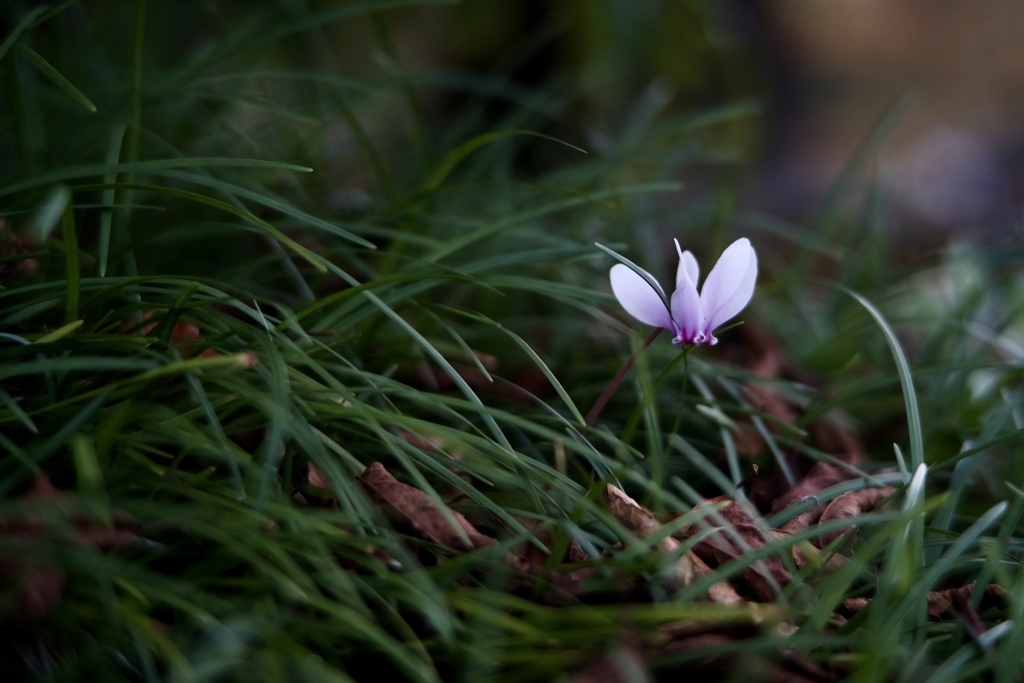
935 84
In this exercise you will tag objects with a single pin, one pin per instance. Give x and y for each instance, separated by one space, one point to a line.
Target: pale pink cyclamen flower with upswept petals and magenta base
692 318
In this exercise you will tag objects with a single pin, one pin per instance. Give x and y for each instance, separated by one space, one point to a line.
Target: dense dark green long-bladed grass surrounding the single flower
227 296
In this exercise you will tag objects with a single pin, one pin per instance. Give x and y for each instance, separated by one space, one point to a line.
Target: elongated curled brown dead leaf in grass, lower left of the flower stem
411 507
